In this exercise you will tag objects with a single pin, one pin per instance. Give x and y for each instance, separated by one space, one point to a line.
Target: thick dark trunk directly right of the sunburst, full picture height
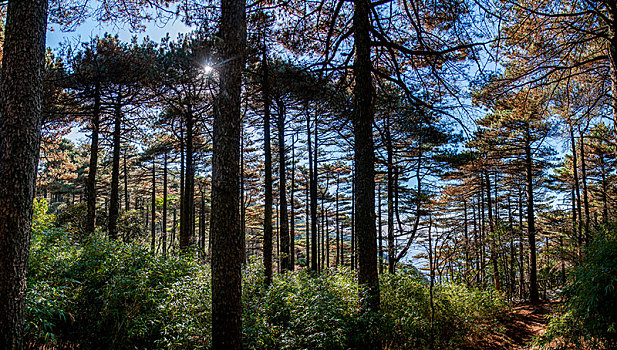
227 249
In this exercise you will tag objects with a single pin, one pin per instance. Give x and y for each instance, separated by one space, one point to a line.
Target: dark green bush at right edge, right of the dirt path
589 315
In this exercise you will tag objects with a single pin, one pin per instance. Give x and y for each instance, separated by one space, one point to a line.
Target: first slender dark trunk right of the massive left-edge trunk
94 156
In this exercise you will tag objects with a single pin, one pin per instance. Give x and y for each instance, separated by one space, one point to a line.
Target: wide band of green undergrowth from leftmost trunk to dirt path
116 295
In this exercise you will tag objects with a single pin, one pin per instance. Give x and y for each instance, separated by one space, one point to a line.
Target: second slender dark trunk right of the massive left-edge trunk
115 171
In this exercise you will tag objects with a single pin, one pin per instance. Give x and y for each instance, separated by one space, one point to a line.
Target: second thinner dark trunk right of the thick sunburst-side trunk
284 219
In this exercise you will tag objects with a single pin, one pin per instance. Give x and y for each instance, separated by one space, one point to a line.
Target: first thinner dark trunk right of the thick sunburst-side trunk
268 174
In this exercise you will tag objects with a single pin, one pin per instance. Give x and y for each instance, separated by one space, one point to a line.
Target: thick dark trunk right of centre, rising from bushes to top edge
364 161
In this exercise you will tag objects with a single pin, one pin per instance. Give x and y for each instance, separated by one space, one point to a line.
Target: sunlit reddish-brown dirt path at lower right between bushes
525 322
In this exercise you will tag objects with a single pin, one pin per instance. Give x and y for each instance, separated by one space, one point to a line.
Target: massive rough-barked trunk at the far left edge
21 87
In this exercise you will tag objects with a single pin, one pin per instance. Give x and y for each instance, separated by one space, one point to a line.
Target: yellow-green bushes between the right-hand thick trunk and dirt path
459 314
